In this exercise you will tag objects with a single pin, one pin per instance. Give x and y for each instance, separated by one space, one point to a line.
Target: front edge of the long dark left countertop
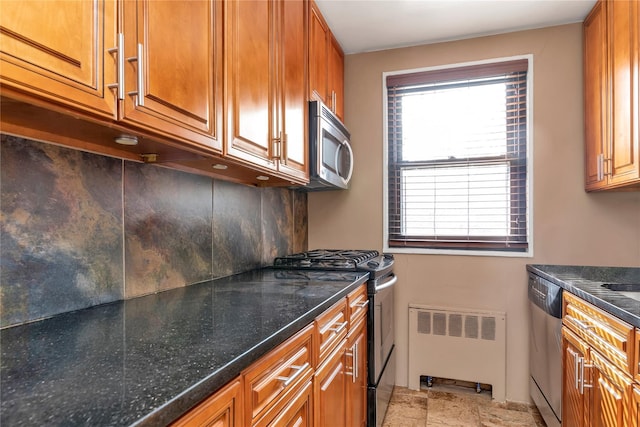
189 398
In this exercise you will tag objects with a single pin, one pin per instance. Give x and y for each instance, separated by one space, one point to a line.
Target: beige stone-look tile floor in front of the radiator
454 406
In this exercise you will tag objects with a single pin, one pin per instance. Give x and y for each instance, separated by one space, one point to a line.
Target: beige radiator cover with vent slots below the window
458 344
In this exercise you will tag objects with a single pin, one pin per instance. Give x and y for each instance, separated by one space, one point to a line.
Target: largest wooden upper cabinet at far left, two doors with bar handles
154 66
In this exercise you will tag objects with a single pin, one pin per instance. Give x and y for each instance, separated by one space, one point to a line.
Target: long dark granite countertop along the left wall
147 360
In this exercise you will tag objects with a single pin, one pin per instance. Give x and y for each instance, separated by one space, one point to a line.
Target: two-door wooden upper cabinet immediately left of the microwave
266 84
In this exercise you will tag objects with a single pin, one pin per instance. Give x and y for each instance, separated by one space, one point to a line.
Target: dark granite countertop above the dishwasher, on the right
586 282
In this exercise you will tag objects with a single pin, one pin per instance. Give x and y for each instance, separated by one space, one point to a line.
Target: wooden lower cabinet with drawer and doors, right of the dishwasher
598 386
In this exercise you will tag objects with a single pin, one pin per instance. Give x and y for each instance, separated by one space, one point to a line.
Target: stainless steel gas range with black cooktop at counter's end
380 331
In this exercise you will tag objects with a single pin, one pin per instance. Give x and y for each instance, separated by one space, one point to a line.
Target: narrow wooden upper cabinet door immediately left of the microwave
293 95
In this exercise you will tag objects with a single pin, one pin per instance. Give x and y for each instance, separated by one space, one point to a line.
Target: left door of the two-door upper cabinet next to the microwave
250 50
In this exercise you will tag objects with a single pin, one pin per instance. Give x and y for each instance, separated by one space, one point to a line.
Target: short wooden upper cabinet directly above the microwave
326 64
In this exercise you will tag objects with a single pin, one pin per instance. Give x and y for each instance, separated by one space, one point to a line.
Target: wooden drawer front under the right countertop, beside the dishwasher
610 336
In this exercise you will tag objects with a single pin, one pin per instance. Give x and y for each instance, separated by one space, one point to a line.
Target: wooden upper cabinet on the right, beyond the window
611 73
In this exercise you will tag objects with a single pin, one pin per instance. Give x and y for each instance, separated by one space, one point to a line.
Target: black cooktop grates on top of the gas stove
327 258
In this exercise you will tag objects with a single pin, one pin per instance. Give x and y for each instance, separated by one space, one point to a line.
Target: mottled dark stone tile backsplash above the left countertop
79 229
